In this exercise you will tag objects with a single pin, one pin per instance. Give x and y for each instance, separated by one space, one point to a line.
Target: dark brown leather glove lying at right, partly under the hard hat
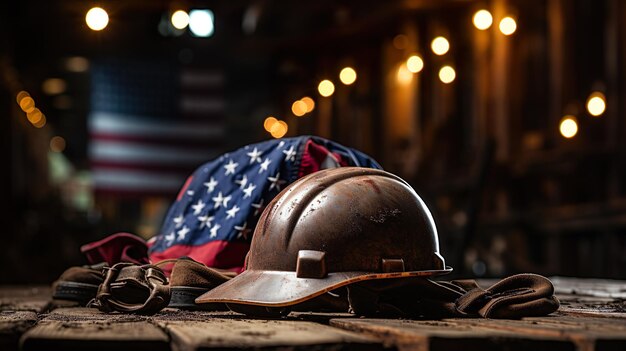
517 296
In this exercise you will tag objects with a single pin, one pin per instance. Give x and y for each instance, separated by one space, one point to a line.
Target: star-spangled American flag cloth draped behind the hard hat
214 215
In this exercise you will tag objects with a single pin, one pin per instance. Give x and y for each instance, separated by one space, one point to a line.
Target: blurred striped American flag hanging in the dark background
151 124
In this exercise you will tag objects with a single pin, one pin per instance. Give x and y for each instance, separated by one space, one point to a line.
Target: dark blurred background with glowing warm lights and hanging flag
507 116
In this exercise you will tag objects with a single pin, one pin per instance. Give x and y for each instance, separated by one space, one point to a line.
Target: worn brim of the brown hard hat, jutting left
278 288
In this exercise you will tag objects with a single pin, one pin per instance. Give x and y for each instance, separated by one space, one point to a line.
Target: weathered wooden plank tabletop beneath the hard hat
592 317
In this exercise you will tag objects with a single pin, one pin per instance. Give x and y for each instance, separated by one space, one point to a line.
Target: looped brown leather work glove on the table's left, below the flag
132 288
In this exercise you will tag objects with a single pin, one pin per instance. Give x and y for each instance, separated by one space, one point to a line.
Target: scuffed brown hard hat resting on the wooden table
330 229
